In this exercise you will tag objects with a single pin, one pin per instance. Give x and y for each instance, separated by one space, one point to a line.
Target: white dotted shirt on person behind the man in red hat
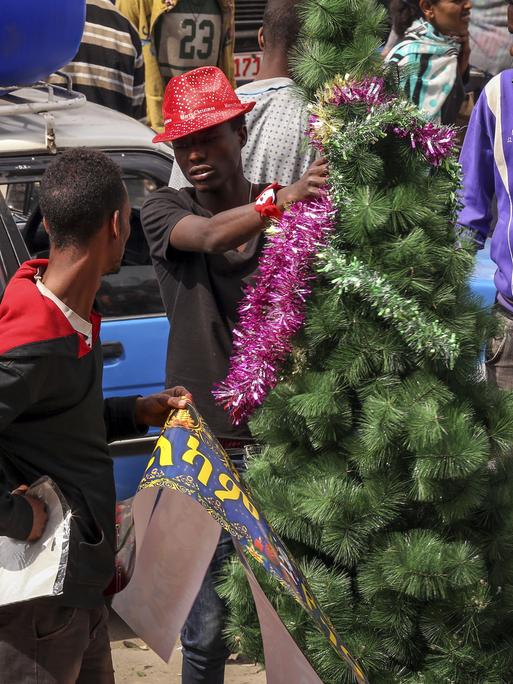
277 149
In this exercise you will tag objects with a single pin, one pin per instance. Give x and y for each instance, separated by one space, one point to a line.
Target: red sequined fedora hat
197 100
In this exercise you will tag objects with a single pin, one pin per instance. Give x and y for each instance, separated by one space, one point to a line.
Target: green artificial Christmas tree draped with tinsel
387 466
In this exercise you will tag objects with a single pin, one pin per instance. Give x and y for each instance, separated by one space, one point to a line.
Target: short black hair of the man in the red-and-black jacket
80 190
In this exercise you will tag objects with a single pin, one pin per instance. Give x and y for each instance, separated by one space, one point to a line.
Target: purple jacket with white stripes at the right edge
487 162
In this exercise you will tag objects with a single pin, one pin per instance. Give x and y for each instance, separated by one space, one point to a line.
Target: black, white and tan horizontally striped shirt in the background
108 67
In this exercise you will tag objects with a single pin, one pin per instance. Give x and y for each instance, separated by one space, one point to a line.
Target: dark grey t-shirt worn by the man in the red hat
201 294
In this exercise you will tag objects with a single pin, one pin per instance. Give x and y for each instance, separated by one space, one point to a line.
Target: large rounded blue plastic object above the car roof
37 37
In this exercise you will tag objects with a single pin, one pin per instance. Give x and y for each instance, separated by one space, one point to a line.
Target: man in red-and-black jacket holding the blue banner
54 422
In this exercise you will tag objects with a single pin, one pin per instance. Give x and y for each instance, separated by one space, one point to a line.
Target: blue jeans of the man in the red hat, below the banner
204 650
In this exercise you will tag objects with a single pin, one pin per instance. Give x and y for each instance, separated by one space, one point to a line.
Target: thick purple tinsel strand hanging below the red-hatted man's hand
273 308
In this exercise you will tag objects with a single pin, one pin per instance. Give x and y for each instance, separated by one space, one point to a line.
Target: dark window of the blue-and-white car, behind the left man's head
134 291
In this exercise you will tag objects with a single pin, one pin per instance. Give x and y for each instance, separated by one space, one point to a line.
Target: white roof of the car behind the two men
87 125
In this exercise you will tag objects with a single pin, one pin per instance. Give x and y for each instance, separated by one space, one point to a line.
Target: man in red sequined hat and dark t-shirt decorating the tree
205 242
